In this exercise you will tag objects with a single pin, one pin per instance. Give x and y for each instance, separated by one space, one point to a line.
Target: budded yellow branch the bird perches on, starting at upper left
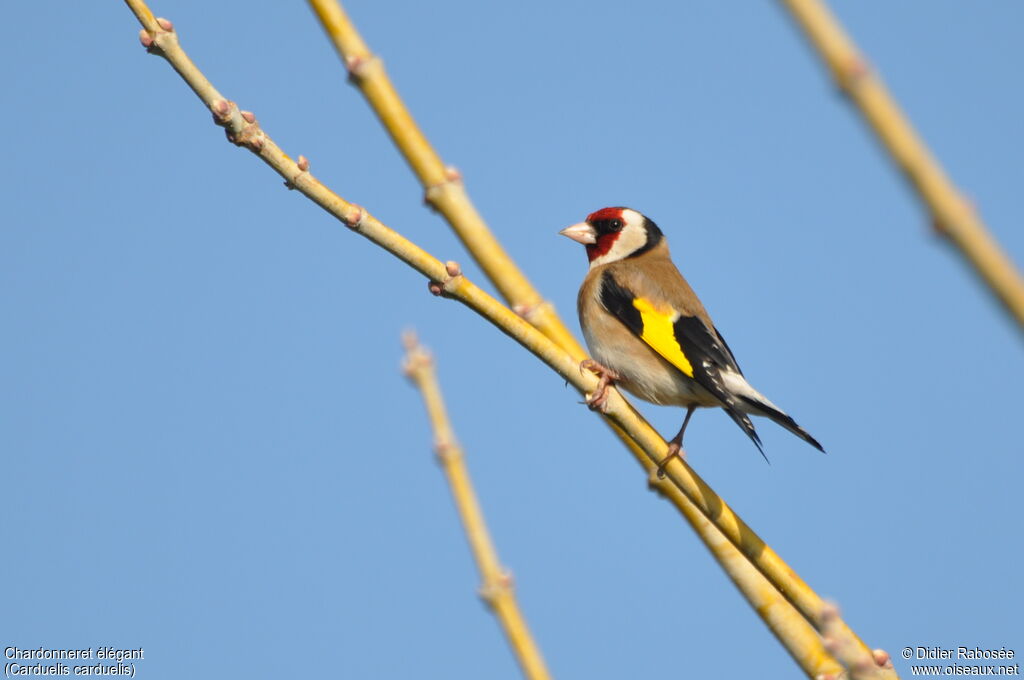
447 280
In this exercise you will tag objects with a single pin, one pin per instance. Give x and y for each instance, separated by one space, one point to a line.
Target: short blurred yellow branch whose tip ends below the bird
496 588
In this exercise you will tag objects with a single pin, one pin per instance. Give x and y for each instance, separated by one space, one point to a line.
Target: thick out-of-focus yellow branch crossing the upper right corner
952 215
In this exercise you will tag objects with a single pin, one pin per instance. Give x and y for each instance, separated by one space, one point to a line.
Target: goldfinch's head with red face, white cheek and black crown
615 234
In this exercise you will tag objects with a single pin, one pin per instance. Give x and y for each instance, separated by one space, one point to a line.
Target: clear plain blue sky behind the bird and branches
208 449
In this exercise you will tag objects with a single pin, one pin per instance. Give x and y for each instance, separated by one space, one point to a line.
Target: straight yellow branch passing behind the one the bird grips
445 191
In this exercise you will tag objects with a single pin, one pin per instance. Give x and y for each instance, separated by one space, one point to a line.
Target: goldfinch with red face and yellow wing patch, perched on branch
649 332
